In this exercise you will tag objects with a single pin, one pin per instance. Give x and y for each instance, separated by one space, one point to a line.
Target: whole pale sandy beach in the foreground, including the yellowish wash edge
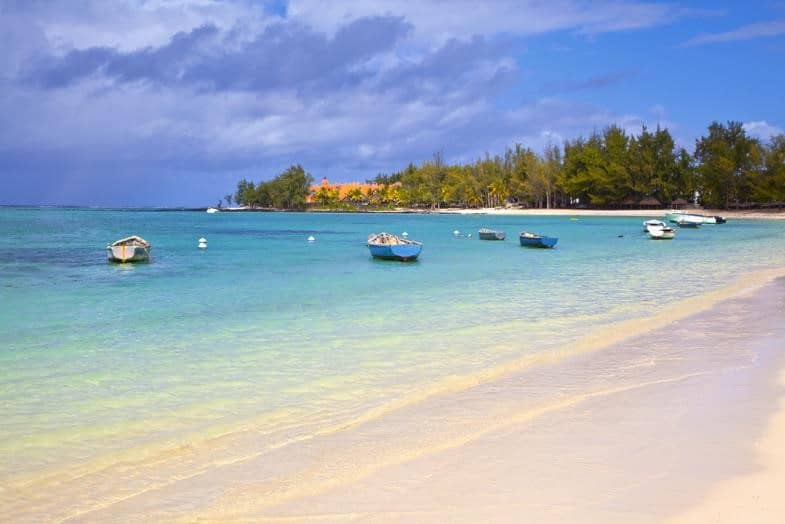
632 425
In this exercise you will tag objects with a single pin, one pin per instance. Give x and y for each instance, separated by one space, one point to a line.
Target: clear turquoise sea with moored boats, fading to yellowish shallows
264 332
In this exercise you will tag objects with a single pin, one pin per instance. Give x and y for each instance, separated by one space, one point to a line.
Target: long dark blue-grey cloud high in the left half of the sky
283 55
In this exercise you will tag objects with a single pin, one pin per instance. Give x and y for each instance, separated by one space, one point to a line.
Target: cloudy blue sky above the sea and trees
171 102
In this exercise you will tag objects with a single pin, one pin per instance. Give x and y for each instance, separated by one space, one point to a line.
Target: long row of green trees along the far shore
611 168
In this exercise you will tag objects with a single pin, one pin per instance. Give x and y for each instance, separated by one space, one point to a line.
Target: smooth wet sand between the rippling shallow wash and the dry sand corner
641 431
